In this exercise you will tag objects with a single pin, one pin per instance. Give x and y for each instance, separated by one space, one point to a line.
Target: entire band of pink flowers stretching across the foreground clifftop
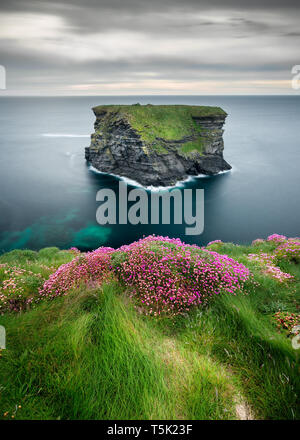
166 275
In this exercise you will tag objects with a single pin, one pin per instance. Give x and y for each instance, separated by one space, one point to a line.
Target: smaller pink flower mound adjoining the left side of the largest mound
90 268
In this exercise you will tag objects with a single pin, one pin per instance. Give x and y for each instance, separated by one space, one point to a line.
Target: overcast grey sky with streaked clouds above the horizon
131 47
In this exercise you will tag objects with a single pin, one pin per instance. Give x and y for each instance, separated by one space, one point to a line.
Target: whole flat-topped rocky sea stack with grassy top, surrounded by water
157 145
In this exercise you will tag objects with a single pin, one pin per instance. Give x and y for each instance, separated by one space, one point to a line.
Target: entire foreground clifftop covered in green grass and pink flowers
157 329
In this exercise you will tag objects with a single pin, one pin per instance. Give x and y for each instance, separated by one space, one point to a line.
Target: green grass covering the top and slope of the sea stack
169 122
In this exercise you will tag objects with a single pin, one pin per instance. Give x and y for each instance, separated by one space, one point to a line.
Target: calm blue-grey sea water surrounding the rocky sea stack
47 195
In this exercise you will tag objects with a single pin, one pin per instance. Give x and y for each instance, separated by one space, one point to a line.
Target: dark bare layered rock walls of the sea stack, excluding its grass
117 148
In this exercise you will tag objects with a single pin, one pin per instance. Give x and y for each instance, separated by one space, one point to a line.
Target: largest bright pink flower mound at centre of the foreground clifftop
168 276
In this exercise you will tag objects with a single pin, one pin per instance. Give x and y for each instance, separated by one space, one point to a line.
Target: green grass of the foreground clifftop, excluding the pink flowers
94 354
